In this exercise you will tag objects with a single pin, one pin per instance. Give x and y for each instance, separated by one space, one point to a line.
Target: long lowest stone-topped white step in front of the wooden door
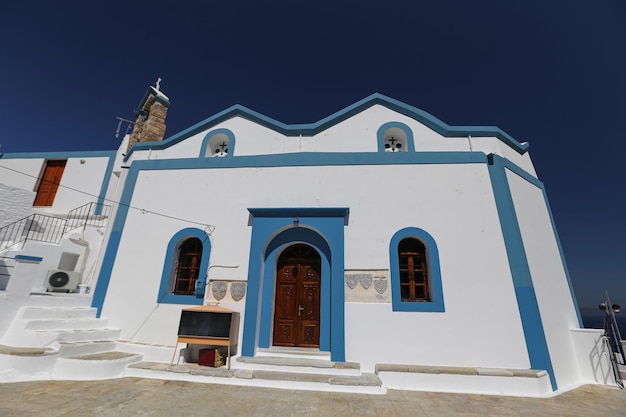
364 383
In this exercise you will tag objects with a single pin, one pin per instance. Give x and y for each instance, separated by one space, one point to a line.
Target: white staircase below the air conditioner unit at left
58 336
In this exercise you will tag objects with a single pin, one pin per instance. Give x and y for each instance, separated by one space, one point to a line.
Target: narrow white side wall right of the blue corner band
557 308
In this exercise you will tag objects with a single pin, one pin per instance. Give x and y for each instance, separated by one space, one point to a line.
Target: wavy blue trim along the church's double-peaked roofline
314 128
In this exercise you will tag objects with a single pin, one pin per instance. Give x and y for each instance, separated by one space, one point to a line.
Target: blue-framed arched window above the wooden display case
186 263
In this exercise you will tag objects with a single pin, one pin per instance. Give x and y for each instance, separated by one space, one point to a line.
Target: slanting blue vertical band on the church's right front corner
532 325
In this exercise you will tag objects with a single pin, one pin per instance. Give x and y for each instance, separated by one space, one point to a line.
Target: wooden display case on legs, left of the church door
208 325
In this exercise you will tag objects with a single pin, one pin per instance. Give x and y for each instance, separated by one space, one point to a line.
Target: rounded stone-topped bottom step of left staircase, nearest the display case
101 365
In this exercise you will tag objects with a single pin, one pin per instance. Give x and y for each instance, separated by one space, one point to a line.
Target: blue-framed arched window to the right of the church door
415 271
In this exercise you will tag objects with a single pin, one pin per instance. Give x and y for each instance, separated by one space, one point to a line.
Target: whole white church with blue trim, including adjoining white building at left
378 241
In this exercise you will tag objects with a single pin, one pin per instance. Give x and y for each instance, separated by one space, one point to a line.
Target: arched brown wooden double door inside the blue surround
297 298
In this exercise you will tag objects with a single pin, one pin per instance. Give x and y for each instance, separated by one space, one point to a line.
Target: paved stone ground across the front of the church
128 397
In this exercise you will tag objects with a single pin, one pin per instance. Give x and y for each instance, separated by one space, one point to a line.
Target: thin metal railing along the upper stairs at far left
50 229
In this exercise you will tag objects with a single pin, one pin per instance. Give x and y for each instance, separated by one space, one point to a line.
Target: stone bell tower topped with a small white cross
150 117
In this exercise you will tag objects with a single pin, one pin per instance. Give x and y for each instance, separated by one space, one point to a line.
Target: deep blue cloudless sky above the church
550 73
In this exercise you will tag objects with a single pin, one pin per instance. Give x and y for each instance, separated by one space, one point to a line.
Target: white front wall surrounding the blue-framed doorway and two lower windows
481 325
